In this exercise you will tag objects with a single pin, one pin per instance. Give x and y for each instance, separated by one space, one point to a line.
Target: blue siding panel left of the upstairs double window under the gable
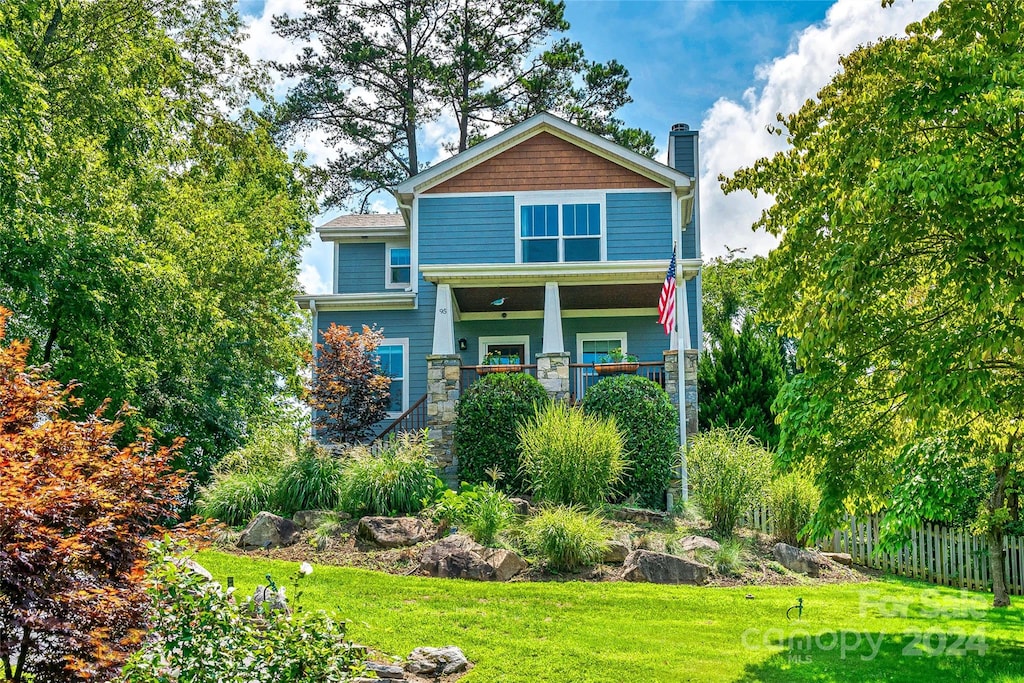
467 230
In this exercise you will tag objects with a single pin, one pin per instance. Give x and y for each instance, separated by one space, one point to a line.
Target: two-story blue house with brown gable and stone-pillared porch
545 247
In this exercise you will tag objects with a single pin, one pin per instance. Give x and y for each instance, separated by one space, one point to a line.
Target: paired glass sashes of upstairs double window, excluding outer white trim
560 233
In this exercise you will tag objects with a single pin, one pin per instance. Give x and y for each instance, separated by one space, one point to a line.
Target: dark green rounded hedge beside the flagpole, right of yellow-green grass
651 424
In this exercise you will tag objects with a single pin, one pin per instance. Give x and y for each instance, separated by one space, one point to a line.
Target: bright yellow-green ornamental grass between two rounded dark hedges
571 458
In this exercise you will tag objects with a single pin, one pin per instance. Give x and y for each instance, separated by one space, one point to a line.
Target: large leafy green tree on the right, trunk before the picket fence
902 272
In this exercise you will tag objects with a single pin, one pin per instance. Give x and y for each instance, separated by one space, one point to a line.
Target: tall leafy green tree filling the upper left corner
151 242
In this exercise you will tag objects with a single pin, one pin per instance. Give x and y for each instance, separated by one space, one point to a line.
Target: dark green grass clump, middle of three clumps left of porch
311 482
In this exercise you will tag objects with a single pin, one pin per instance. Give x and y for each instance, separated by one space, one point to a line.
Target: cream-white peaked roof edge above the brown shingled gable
542 123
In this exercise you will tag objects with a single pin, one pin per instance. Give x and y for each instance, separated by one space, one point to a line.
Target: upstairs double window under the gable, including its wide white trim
556 228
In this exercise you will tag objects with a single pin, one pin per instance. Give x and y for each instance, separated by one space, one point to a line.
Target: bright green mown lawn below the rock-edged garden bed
892 630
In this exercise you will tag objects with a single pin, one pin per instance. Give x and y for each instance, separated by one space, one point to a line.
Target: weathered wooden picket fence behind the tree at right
935 553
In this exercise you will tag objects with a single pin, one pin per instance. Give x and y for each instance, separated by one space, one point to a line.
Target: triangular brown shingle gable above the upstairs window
544 162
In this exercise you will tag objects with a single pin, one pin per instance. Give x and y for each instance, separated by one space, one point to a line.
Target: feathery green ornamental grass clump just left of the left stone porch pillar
399 481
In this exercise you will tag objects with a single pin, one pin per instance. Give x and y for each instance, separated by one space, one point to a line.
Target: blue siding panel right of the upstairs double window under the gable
639 226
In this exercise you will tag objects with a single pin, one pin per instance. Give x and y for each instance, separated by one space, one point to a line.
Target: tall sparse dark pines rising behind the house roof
373 74
